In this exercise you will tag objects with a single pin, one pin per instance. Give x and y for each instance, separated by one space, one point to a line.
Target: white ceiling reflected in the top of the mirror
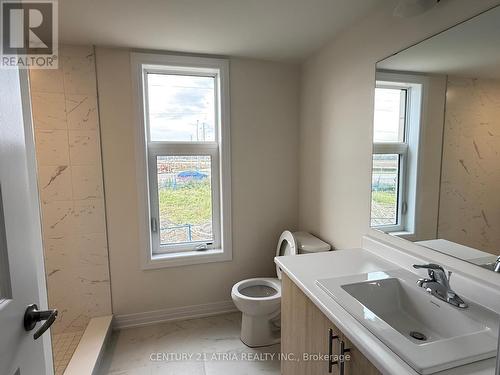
471 49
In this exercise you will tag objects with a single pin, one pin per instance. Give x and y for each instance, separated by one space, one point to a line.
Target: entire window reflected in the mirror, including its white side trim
399 110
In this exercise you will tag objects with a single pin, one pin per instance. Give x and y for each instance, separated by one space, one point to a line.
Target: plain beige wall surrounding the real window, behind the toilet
264 142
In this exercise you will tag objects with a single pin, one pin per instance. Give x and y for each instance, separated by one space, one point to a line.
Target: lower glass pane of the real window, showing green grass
185 199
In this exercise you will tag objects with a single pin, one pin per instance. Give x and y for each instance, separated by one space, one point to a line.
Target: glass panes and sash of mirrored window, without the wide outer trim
390 155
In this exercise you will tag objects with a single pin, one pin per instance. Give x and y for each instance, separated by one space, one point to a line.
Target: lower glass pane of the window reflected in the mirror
385 185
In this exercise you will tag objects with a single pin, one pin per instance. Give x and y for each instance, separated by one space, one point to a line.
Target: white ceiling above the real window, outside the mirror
285 30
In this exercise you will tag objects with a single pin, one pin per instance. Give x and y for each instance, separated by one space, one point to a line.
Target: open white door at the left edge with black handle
22 278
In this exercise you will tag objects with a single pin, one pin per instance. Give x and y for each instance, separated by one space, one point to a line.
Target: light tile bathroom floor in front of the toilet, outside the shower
205 346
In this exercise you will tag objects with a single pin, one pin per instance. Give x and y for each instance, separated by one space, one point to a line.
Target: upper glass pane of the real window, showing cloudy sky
181 107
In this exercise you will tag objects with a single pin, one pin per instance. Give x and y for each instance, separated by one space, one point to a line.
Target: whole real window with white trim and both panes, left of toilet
184 140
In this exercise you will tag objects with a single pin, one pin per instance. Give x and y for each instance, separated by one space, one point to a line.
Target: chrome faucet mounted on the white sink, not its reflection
438 284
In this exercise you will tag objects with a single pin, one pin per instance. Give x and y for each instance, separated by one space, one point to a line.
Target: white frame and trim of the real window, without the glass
155 255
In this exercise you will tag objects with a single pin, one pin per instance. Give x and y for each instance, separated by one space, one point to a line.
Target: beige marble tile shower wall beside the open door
64 104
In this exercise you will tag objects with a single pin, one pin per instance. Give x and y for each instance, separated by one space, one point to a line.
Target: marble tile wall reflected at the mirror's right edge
470 182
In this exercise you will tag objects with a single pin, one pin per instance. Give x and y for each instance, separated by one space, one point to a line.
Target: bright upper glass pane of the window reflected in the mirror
389 115
